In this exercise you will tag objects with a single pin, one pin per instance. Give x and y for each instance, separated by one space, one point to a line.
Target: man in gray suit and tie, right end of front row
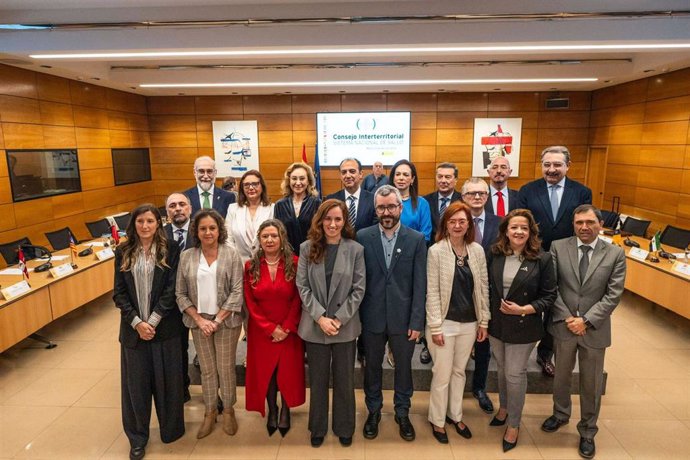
591 280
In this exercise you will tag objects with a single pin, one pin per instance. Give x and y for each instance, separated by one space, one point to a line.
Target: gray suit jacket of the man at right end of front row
595 299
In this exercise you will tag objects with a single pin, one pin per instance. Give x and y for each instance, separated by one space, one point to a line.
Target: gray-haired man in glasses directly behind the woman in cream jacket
475 194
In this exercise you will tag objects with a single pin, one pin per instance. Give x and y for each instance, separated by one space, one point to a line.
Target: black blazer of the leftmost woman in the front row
163 300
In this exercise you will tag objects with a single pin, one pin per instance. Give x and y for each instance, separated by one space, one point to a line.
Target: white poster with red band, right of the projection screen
496 137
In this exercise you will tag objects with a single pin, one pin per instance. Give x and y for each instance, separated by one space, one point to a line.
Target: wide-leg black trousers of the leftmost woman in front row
152 370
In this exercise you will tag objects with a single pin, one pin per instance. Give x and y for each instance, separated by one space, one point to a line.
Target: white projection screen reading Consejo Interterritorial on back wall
367 136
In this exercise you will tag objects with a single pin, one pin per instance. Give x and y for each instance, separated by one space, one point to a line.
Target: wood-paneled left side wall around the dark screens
41 111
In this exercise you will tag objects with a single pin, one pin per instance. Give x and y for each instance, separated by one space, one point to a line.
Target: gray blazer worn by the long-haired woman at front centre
348 283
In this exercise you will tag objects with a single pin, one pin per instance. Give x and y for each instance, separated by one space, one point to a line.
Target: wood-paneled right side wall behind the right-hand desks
645 125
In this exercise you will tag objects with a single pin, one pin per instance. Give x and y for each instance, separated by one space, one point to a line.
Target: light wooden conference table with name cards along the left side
51 298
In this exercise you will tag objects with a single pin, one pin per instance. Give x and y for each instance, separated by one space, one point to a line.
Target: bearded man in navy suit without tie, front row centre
393 308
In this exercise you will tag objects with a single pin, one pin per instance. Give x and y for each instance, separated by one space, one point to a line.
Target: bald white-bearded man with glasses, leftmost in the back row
206 194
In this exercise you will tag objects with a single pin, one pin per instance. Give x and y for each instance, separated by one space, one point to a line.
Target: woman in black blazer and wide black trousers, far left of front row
150 328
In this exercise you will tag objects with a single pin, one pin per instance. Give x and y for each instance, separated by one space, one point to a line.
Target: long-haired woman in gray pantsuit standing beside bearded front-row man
331 279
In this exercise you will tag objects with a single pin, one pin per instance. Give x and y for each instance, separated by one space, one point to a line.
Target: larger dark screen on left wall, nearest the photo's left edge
40 173
